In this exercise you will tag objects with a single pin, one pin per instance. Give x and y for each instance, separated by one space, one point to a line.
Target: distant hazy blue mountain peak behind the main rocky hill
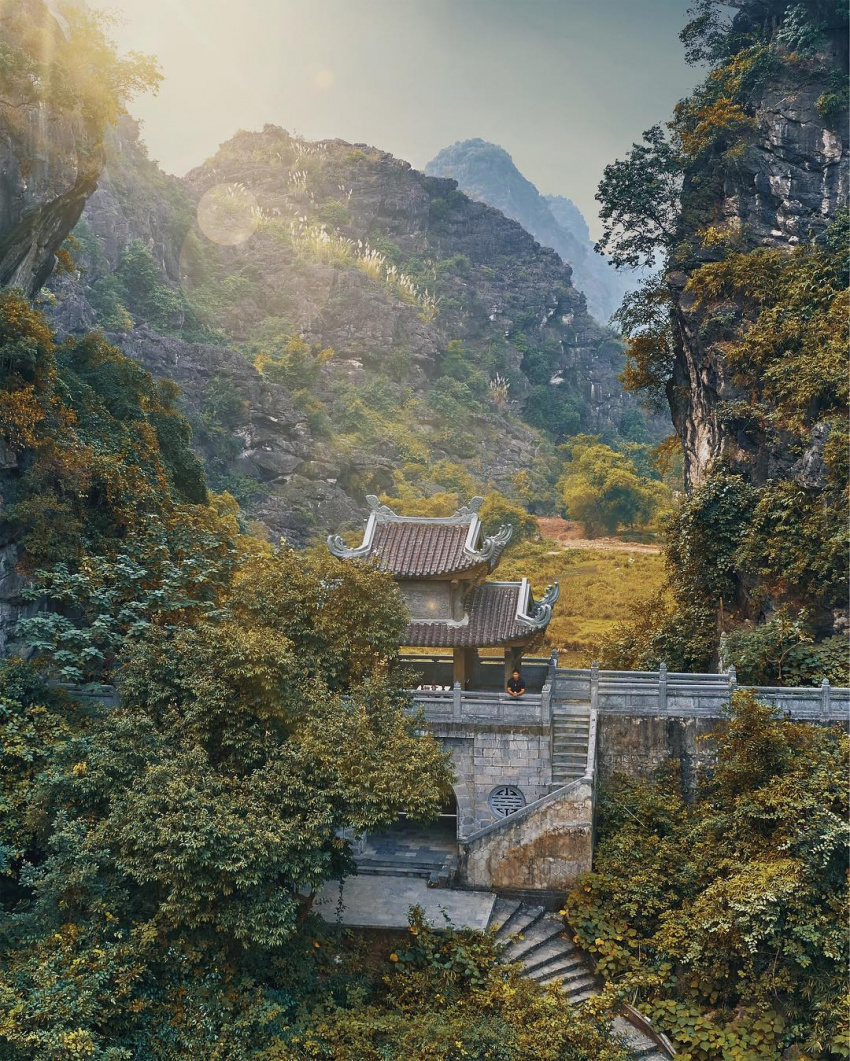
487 172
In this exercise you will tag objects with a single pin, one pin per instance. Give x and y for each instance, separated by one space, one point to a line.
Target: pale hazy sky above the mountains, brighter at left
564 85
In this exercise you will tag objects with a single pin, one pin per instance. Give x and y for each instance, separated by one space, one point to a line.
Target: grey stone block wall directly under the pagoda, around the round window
487 757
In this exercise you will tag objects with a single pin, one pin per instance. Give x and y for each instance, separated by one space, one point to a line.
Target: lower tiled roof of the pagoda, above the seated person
497 614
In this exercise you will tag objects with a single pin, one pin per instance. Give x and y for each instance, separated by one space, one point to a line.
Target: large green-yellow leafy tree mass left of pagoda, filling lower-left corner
175 844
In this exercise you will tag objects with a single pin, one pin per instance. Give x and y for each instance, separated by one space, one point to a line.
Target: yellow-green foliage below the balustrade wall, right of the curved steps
725 916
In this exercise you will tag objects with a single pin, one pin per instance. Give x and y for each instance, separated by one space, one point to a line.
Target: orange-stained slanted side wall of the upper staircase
546 847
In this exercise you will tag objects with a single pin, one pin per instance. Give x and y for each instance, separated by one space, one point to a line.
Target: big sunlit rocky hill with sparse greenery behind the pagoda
410 299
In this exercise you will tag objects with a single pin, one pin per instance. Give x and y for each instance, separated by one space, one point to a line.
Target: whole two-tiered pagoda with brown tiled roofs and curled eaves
441 566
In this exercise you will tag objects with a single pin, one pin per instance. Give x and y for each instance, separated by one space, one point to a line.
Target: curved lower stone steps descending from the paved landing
537 940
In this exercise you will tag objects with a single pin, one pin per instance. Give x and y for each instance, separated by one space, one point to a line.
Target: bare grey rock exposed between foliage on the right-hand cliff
786 188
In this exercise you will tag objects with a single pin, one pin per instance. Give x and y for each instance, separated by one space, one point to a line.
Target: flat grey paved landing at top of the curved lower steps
383 902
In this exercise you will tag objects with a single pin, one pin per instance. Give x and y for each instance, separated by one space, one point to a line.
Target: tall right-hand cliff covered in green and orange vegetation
744 335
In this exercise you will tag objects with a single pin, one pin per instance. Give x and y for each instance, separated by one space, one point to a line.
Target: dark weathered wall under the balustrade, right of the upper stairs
637 745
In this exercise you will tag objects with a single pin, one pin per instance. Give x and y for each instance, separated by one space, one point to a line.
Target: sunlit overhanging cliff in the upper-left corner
50 160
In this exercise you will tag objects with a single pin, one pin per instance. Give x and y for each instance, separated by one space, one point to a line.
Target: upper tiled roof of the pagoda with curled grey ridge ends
413 547
